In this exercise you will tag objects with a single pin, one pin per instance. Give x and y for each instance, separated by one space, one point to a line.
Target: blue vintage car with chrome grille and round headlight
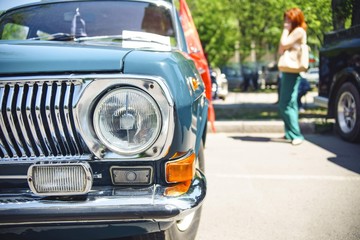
102 122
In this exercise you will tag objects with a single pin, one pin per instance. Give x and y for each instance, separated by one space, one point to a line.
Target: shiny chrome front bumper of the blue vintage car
101 206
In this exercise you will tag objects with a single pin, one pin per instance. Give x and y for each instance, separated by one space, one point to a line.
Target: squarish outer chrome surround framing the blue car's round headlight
99 84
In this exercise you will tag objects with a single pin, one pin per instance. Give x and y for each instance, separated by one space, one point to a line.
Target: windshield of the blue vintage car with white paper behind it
90 20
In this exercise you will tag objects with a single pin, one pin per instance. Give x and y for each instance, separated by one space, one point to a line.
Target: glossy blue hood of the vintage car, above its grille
27 57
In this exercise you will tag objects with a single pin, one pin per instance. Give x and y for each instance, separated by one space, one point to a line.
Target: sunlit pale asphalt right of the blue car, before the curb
263 189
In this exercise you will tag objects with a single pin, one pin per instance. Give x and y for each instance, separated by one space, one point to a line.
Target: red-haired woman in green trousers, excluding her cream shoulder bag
293 35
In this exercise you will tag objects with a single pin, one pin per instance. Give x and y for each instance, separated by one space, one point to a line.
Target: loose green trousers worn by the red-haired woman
288 106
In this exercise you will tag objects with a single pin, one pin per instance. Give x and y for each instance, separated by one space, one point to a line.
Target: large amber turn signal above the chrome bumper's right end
181 170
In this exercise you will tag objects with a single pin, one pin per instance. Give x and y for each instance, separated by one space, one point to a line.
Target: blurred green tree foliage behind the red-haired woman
222 23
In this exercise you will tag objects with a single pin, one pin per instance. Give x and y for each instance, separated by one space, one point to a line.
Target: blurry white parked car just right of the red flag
219 84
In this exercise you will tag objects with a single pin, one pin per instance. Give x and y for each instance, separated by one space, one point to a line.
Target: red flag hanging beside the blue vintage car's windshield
197 54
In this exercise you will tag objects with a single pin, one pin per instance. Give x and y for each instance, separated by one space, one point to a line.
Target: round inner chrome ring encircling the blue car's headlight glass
110 144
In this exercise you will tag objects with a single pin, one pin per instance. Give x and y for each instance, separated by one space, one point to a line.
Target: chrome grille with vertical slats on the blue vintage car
37 119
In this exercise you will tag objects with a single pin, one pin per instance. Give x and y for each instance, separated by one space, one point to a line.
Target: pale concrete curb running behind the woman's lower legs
273 126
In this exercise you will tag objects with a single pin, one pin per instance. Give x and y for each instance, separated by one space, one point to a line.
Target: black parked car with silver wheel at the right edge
339 86
